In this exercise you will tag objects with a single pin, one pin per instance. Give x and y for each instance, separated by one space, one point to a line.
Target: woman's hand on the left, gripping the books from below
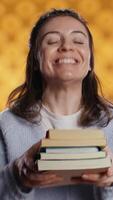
26 171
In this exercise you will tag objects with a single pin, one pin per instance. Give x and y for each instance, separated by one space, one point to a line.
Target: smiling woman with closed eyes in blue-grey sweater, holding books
60 91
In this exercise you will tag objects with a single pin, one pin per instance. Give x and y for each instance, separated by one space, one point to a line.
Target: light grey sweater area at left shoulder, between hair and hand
18 134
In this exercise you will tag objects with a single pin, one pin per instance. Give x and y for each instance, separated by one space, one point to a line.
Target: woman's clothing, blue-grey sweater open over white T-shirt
17 135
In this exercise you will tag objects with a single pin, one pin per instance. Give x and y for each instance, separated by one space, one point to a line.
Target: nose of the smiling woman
66 46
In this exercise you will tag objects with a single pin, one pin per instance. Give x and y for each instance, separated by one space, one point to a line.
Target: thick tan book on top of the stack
70 138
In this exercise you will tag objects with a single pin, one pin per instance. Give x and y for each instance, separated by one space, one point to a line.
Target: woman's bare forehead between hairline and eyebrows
64 24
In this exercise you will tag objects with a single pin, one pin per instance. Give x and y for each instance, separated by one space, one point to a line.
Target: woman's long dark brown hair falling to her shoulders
26 100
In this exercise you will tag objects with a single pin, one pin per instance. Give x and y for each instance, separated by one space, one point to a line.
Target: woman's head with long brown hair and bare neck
43 57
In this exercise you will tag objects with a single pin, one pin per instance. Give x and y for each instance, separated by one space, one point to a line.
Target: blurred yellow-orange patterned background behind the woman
16 21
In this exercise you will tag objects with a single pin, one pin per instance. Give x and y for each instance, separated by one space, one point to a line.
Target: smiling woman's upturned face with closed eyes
64 53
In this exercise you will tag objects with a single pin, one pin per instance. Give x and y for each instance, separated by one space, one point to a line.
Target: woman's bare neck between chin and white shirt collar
62 100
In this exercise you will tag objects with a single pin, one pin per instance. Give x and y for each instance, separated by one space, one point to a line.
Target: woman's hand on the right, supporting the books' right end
102 179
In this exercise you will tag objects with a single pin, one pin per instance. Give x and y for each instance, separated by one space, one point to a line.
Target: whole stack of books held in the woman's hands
71 153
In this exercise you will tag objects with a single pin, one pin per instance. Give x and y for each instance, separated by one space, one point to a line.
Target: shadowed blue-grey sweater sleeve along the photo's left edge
9 188
